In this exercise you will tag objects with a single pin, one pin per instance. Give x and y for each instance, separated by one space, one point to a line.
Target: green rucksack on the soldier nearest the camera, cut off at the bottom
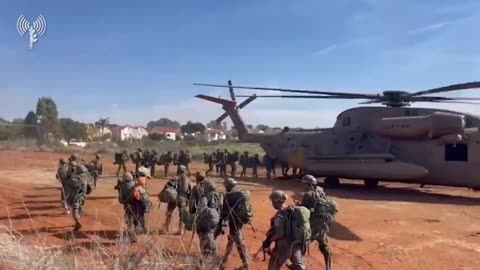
298 228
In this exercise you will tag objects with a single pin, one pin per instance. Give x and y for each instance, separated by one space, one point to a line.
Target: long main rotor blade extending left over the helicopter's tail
304 91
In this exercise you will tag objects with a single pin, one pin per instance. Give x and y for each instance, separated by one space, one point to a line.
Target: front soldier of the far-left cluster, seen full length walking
76 190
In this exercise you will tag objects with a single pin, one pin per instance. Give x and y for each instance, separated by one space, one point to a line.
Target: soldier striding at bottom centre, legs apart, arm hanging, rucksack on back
235 223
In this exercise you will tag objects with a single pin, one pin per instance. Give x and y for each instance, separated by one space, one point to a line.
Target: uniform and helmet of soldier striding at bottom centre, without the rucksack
235 226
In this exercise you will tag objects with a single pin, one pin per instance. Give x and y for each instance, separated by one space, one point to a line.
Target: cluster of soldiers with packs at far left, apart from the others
78 179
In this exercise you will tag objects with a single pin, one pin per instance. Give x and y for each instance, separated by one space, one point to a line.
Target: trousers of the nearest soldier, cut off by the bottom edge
284 251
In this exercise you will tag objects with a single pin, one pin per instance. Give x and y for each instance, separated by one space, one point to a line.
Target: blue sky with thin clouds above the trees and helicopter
135 62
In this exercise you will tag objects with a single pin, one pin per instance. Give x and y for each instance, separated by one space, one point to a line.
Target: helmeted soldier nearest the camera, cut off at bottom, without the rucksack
284 249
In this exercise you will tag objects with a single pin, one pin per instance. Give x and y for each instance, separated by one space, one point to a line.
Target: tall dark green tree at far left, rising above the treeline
47 113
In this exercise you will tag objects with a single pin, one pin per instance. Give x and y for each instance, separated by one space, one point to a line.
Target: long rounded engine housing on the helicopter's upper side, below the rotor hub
430 126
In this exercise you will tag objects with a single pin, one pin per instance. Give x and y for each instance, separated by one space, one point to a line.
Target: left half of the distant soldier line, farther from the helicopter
150 158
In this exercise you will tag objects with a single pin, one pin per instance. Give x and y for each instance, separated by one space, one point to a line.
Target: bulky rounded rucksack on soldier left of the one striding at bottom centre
207 215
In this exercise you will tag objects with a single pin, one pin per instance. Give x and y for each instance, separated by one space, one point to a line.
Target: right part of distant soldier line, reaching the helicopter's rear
221 159
